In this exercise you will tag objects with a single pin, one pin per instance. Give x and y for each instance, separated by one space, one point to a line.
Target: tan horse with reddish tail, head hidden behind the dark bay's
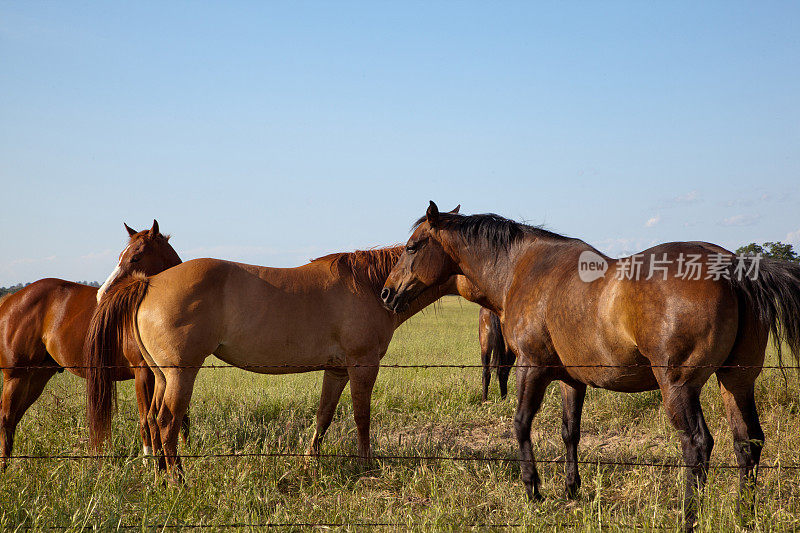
325 315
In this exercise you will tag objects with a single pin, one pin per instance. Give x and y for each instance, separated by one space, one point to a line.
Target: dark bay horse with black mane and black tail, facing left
618 332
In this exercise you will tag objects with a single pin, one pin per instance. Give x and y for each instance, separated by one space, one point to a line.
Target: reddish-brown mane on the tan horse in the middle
365 268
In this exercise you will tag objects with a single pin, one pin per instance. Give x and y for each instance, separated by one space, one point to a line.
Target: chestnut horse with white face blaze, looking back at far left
42 331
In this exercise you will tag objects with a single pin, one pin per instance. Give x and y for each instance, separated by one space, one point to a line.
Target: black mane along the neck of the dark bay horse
491 229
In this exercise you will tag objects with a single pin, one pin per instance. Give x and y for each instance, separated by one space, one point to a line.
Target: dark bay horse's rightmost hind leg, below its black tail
748 437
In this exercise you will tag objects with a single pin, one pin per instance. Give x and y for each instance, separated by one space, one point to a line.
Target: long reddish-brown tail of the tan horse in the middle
104 341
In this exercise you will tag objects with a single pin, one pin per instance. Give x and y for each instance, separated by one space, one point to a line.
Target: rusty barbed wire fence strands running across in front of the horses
265 368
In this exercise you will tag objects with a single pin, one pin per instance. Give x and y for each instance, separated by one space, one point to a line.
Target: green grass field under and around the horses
414 412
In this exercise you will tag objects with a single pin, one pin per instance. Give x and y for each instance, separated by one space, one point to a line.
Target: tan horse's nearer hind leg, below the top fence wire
178 393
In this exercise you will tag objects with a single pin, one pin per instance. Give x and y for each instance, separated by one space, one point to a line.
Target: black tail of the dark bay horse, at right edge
772 293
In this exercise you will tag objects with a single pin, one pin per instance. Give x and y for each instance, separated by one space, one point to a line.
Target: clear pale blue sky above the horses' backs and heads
274 132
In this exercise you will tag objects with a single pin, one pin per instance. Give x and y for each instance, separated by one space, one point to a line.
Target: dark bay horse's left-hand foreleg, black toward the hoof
531 385
